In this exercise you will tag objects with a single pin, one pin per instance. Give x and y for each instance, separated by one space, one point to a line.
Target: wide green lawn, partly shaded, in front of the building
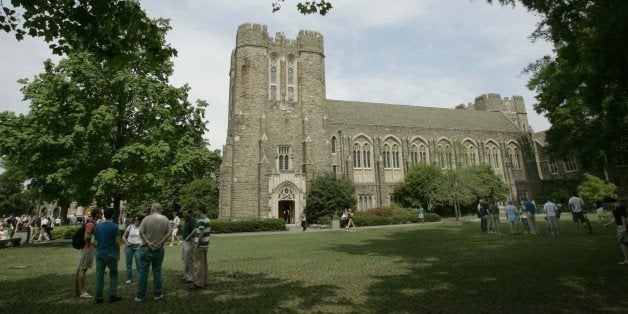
401 269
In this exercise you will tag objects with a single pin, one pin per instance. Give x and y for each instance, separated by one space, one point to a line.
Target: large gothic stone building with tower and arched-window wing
283 132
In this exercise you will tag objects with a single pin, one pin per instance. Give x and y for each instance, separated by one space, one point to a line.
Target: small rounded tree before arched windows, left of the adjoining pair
420 186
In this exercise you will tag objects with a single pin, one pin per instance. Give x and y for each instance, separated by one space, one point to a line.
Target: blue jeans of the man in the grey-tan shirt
148 258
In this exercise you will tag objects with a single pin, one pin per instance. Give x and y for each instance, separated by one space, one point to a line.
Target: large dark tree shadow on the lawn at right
454 269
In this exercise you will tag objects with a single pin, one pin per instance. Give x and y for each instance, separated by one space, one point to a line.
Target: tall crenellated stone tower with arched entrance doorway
276 123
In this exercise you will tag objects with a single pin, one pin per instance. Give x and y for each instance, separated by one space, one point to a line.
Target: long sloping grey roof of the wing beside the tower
354 112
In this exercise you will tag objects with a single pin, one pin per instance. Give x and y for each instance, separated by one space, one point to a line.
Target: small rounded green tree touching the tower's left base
201 193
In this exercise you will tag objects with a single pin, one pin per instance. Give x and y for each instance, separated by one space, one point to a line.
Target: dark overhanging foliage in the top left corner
117 31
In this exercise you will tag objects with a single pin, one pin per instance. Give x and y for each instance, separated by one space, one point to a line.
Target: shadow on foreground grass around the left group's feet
228 292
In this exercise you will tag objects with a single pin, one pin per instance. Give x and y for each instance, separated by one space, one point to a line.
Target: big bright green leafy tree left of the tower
100 132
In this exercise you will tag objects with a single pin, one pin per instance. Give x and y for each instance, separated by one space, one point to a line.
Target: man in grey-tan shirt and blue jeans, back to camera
154 230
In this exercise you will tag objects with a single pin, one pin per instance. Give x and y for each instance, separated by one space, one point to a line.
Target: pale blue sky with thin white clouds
435 53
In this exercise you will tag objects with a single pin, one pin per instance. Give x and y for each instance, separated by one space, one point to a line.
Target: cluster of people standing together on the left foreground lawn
143 242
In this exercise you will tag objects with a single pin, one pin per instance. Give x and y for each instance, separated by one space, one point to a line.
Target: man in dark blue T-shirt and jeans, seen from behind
107 235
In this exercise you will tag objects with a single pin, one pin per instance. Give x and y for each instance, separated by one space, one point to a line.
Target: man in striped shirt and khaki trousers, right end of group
200 249
